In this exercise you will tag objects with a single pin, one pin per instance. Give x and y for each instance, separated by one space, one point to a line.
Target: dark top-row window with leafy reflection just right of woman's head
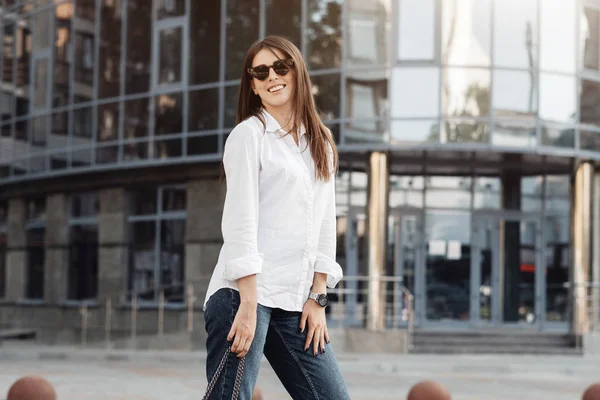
323 33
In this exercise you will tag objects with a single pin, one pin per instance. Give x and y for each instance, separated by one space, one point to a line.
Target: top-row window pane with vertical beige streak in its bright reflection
466 32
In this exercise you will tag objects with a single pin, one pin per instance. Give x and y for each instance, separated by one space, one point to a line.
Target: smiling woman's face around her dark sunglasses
275 90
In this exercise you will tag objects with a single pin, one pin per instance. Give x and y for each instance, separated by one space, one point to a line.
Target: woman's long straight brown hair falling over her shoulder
304 109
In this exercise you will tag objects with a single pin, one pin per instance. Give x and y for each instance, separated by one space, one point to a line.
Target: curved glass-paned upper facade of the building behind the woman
104 84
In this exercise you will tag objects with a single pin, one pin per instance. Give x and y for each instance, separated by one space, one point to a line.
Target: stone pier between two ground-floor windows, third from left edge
112 242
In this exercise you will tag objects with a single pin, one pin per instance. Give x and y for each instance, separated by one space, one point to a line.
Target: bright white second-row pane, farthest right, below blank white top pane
557 98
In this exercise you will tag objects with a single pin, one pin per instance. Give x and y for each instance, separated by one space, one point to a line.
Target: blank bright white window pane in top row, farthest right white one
557 46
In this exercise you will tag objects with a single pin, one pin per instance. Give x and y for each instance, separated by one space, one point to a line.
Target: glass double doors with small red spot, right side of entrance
507 271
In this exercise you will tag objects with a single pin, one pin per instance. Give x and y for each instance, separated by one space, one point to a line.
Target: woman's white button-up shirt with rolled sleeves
279 221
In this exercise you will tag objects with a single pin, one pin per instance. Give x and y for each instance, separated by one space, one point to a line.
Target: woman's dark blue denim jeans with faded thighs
278 336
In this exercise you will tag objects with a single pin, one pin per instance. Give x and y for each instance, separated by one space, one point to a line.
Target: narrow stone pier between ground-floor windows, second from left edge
56 258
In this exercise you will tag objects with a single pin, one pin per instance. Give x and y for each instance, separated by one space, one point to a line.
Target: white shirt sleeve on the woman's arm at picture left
241 160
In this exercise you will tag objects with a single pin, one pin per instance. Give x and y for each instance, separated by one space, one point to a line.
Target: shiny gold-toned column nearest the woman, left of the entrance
377 204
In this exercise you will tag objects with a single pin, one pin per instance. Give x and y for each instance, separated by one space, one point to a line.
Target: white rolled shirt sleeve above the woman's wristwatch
326 250
